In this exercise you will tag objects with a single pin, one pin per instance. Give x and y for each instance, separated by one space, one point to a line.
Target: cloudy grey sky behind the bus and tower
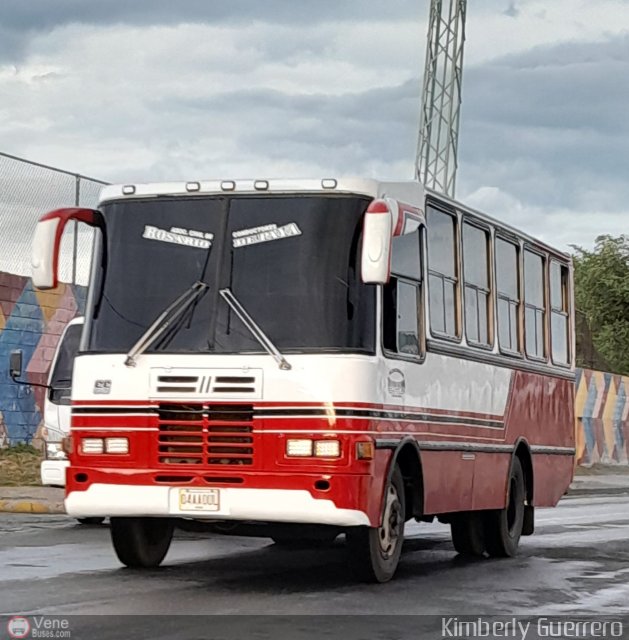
152 89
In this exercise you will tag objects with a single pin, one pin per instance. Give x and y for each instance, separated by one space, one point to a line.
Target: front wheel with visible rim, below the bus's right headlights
374 552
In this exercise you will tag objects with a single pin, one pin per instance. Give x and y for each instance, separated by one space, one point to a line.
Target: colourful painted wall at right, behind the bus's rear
602 414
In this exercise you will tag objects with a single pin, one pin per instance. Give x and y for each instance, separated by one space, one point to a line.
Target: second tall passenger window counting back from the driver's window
476 285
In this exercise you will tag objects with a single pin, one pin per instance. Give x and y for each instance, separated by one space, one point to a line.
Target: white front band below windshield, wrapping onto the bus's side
441 383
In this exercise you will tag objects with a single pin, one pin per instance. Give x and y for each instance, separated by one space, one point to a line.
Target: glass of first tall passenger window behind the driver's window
442 273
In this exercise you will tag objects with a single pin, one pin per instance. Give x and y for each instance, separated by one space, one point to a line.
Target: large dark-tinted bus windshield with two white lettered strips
292 261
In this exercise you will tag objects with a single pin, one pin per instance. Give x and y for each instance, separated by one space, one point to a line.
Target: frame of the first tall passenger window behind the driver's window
456 217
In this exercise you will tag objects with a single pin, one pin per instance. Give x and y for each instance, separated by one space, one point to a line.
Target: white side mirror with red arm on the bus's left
47 242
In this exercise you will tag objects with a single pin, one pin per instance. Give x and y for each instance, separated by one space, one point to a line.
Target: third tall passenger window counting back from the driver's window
508 290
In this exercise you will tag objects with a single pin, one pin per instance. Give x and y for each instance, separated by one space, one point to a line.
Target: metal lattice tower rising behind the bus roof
437 146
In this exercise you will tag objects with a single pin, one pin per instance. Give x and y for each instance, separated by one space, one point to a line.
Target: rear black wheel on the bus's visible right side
503 527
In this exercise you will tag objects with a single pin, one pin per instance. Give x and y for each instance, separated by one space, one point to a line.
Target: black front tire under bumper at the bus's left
141 542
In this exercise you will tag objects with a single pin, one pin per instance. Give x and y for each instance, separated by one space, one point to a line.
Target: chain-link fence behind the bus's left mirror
28 190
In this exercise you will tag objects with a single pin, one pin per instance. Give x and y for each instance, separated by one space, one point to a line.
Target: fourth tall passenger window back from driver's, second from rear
534 305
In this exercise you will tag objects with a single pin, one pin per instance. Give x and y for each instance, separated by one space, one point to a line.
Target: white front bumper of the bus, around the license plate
263 505
